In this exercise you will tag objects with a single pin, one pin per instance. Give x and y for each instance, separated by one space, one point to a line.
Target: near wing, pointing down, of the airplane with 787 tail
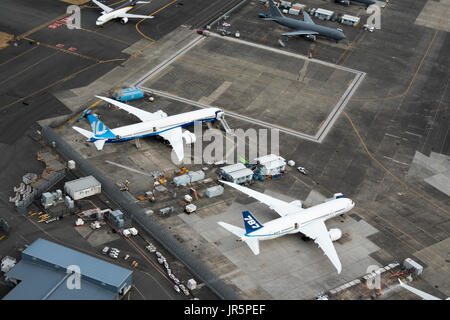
319 233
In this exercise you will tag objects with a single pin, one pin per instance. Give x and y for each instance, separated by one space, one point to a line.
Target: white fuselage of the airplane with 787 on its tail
293 223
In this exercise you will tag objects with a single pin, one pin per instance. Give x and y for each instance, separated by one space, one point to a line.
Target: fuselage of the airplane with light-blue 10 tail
156 127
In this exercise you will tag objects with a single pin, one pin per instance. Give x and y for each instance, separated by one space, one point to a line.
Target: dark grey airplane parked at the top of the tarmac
302 28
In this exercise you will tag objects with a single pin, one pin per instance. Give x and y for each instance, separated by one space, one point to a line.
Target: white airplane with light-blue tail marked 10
152 124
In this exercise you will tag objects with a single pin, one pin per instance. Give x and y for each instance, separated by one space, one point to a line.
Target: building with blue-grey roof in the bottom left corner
43 274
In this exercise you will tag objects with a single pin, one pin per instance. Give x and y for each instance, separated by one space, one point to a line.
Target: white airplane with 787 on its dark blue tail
294 218
